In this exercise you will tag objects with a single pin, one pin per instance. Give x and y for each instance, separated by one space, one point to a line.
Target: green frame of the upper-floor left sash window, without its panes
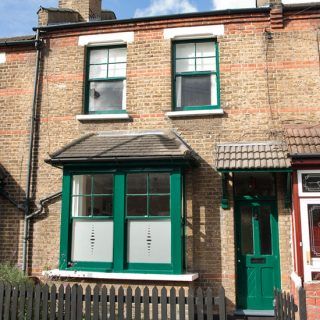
88 81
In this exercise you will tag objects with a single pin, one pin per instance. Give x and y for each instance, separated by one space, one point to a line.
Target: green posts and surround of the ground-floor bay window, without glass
121 219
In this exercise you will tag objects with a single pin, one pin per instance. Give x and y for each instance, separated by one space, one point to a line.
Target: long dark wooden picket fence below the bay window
74 302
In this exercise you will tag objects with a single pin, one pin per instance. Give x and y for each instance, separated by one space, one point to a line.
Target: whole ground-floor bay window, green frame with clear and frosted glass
122 221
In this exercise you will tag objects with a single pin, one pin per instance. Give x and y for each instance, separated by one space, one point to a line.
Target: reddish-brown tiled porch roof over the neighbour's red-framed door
303 140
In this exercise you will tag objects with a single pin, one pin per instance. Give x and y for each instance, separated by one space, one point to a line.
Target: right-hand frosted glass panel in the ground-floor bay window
149 241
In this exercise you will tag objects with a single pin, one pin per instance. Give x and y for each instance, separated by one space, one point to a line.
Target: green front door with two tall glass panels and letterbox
258 270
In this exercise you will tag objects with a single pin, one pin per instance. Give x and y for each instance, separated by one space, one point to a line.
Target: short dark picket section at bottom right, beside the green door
285 307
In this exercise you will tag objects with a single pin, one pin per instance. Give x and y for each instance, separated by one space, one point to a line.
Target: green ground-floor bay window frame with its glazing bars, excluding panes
122 222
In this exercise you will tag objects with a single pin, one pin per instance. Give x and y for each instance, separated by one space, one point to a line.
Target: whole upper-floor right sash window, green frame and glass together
196 77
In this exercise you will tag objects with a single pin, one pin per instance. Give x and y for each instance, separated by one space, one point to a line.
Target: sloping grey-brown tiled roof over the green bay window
124 146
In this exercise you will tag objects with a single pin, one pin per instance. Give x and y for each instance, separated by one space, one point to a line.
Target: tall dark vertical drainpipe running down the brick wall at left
30 156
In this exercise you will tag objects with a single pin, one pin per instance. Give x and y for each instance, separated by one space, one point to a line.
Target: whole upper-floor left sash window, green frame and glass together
106 80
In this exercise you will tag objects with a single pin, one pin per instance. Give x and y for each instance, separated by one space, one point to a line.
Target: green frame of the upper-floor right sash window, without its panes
196 73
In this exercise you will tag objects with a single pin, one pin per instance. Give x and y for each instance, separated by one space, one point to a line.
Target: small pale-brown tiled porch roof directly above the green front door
260 155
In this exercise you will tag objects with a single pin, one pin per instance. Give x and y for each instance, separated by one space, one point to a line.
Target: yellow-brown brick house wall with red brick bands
265 84
